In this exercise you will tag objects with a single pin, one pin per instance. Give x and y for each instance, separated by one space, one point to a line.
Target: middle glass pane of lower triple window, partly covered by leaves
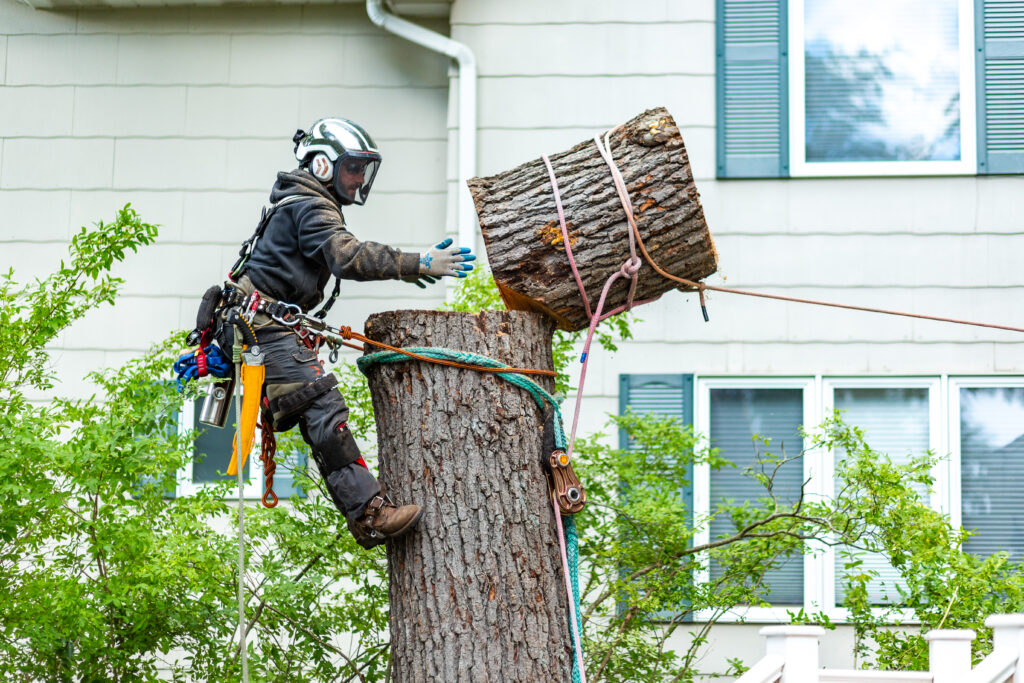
897 423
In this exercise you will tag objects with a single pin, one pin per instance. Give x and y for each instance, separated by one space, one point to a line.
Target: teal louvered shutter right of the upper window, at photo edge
1000 47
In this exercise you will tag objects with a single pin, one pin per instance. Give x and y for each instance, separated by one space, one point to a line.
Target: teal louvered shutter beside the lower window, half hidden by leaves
660 395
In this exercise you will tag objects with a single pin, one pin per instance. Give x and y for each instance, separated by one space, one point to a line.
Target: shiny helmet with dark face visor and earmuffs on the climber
332 146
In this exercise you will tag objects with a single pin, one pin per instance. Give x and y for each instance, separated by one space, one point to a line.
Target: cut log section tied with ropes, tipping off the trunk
525 242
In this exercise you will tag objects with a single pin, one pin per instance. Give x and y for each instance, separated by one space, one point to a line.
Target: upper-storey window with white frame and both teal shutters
882 88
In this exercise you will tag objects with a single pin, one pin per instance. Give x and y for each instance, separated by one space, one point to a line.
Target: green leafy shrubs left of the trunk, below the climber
105 578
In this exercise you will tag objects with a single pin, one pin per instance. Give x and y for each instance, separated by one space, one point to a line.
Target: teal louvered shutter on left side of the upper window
752 98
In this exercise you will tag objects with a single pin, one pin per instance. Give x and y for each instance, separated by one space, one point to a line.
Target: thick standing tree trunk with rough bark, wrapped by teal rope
477 592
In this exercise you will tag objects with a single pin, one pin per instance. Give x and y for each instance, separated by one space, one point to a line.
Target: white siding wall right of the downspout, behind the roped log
552 74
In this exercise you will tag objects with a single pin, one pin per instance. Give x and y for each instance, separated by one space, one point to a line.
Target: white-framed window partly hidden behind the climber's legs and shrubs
212 453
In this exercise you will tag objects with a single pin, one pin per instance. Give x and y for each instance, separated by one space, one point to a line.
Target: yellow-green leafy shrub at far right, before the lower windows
940 584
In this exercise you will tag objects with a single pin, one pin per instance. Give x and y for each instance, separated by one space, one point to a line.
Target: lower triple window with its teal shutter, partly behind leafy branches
979 422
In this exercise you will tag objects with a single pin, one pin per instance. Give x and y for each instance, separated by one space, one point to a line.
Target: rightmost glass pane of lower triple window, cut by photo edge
992 469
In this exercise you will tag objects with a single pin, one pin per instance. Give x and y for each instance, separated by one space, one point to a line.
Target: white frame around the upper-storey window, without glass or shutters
799 167
